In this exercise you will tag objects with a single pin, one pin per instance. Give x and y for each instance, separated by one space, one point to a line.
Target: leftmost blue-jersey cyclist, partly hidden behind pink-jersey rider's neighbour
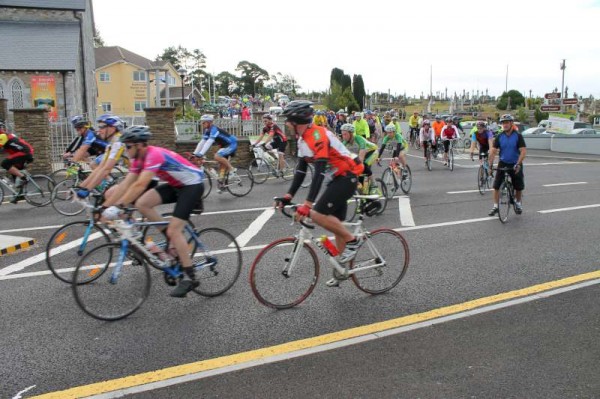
87 143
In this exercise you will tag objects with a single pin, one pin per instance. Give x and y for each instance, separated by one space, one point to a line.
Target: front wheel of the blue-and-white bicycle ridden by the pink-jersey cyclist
113 295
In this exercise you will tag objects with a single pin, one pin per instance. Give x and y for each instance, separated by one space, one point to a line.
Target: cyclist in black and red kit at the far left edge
20 153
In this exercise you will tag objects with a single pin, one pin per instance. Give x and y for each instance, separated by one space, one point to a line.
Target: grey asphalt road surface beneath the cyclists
543 348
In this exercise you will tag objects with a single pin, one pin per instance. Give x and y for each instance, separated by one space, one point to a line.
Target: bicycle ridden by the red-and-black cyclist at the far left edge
36 190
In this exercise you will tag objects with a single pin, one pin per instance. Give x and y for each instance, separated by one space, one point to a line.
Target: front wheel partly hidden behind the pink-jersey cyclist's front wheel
74 249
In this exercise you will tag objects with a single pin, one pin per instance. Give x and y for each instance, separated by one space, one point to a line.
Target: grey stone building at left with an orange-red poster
47 56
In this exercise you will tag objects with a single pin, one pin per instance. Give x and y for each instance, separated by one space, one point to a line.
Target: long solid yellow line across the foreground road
238 358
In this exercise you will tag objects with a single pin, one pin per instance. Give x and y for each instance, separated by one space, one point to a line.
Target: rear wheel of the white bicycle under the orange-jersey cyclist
388 250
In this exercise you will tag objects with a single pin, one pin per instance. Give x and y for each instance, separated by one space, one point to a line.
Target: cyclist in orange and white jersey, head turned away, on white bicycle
319 146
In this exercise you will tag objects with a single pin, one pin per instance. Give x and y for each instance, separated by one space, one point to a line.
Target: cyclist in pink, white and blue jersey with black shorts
183 187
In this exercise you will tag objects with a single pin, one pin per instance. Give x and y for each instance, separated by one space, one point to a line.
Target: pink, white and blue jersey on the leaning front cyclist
169 167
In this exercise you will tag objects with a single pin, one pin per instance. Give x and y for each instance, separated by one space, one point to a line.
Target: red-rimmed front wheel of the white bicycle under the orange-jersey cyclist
272 281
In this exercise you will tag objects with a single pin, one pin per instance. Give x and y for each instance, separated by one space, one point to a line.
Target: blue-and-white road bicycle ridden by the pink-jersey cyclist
113 280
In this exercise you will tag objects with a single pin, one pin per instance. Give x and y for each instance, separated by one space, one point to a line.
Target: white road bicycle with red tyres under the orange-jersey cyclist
287 270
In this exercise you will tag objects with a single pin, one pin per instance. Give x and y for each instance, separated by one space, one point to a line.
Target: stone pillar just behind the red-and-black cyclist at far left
32 125
